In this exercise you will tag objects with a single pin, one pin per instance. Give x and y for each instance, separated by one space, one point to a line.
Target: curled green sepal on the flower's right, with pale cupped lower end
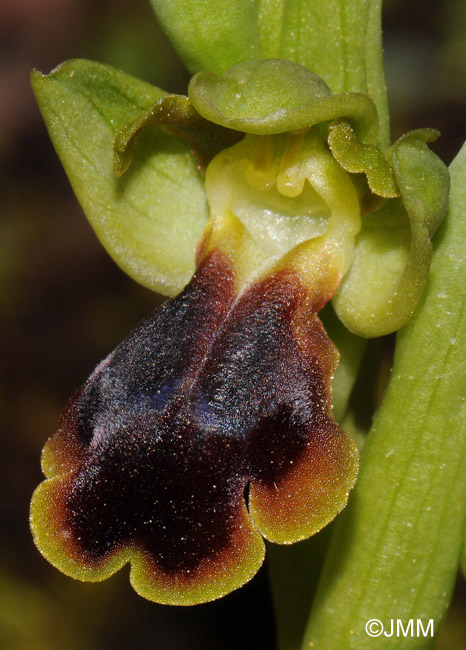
393 251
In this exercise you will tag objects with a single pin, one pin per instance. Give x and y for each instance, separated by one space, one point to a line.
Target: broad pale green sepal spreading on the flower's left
150 220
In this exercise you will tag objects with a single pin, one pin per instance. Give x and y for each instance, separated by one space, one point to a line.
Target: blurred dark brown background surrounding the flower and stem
65 305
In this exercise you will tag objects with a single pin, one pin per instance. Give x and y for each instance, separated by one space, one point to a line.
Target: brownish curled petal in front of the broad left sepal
175 115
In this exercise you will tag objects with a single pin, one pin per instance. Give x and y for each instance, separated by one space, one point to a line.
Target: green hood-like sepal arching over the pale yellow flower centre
277 96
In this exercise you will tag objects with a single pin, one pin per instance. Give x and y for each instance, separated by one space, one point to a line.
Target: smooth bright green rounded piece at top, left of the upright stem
210 35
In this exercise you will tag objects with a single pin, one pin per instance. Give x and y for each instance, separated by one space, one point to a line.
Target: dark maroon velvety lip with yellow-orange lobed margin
210 394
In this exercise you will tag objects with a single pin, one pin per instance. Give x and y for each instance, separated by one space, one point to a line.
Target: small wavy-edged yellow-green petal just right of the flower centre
357 157
